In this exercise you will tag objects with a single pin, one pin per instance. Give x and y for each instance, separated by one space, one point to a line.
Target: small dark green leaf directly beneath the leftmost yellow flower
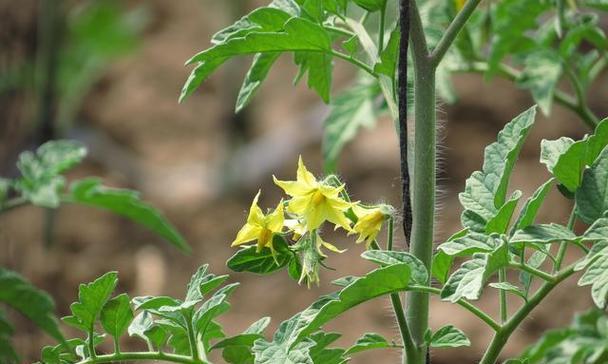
263 262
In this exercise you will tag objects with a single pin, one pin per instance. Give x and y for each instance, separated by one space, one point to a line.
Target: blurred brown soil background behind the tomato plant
108 73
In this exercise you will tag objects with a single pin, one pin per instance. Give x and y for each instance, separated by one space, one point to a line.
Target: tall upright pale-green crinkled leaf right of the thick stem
485 191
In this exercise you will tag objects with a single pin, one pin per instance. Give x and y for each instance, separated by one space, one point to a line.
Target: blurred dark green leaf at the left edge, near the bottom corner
30 301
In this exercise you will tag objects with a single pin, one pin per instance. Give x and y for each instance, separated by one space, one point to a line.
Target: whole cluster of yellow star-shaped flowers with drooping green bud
311 203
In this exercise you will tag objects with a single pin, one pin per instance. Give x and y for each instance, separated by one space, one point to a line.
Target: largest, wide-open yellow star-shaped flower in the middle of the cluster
316 202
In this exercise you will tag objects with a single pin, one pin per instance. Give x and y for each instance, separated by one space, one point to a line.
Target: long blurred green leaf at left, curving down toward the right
125 203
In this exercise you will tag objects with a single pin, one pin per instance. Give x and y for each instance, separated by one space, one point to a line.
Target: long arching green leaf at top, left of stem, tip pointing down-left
299 35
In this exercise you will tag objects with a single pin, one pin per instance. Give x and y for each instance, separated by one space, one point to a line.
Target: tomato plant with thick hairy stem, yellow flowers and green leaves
399 49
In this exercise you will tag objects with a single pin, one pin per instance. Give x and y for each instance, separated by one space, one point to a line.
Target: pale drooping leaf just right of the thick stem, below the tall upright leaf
468 281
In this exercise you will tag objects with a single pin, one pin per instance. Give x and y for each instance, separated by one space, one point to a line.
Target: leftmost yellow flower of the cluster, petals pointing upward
261 227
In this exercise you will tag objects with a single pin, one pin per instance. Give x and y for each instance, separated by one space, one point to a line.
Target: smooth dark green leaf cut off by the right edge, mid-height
592 197
